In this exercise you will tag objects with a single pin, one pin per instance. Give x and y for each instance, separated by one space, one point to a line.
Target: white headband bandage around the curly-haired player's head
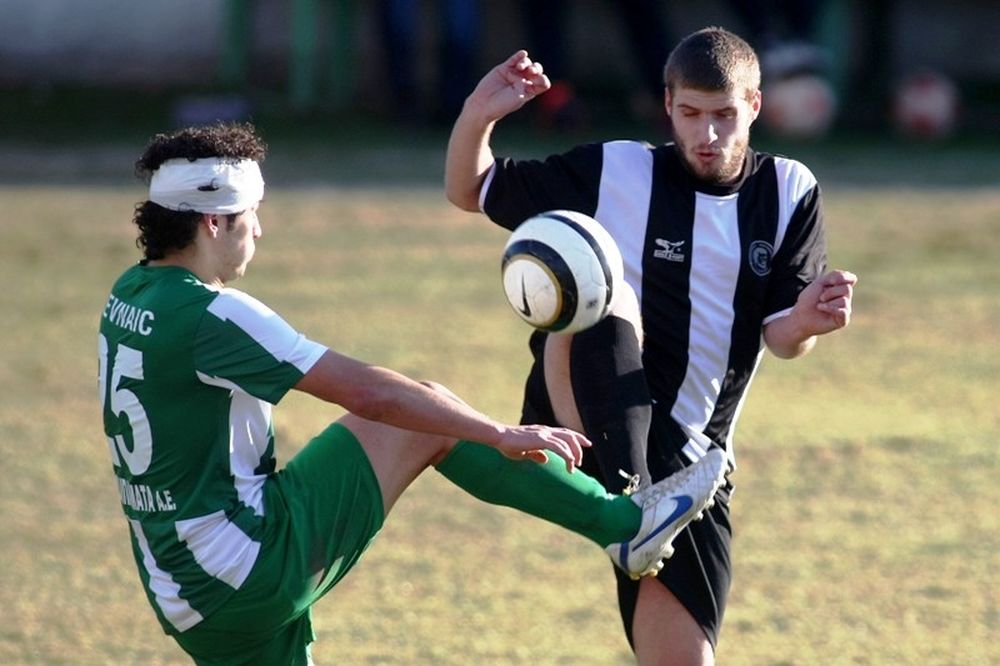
212 185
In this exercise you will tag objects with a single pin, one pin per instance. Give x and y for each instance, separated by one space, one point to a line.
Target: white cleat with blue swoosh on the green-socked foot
667 508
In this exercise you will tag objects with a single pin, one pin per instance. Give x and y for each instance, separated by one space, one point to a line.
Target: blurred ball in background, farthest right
925 105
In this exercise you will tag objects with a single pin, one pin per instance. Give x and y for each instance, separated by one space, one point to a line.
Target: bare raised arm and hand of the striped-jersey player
505 89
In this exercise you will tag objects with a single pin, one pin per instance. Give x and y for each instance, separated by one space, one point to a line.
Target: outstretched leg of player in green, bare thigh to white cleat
636 531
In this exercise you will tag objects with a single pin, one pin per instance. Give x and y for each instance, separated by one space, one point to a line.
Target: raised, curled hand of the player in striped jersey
508 86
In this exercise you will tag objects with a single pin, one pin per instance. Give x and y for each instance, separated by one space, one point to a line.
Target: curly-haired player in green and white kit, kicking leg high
233 552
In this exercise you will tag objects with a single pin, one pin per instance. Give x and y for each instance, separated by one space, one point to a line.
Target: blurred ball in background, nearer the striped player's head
799 107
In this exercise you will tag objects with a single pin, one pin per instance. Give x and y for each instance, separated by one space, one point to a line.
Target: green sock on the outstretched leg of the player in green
575 501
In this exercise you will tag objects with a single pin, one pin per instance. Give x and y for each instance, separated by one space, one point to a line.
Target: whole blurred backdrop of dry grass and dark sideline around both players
868 529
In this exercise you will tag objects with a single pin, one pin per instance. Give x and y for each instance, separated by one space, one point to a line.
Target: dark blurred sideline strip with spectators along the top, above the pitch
915 70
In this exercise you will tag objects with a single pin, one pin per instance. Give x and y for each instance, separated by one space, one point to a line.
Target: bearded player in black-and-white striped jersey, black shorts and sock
725 251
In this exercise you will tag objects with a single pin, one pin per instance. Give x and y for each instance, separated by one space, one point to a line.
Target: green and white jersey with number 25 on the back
187 376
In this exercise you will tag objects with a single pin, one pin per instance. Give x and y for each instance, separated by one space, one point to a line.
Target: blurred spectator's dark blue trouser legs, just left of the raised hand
400 25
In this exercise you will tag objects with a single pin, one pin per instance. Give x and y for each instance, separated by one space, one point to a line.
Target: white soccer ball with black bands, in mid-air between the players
560 271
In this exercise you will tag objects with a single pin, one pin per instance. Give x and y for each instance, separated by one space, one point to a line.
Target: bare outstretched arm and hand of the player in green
383 395
